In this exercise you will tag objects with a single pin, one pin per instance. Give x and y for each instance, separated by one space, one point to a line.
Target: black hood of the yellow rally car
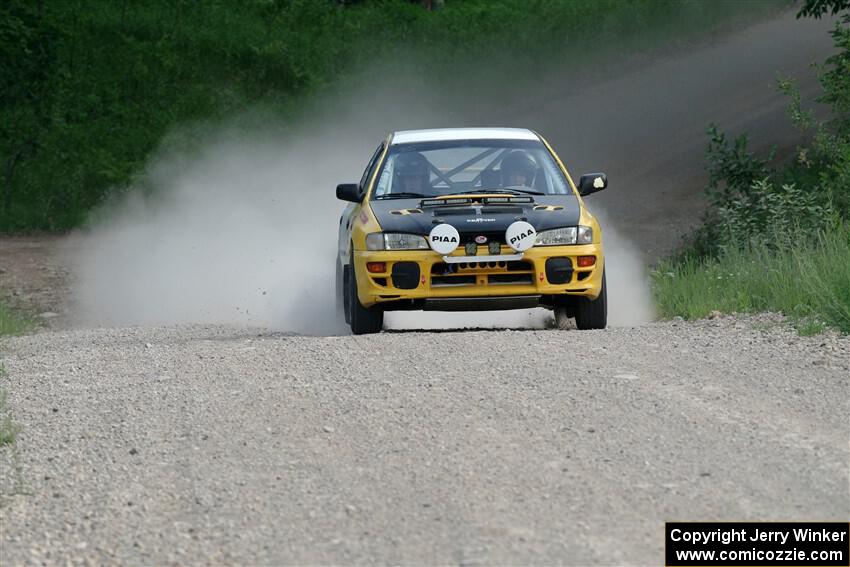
476 215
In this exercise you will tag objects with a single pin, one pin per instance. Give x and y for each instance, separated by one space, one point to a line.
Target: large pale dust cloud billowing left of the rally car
241 232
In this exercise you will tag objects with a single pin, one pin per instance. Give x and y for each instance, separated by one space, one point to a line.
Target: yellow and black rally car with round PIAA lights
467 219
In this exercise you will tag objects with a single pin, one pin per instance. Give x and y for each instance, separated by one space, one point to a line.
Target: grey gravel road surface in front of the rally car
212 444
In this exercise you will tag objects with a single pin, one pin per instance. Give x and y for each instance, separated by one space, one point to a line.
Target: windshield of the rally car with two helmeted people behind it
431 169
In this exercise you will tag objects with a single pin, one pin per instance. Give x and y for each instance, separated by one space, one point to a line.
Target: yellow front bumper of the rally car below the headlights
400 278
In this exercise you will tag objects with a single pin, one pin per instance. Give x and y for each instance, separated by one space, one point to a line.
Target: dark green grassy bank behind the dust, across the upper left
88 88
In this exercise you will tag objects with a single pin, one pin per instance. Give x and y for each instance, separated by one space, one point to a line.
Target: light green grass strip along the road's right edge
809 282
